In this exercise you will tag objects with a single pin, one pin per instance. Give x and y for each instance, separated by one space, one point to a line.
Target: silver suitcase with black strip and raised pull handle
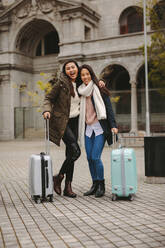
41 173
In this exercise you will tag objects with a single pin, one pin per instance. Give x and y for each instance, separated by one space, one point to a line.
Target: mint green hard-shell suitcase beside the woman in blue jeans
123 173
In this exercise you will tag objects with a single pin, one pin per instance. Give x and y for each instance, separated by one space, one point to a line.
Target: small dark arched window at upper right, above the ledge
131 20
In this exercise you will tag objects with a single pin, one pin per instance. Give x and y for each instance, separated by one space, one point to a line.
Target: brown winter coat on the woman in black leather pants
57 102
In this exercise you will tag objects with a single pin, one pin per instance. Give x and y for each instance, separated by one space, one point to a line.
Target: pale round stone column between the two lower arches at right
134 117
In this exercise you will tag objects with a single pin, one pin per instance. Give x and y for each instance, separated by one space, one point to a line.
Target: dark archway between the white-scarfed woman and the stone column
117 80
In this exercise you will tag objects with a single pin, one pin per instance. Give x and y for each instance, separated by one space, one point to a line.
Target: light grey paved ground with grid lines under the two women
82 222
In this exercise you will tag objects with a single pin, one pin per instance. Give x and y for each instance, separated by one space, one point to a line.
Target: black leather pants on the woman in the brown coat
72 148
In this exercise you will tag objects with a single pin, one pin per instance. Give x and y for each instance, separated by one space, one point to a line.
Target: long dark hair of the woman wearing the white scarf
94 79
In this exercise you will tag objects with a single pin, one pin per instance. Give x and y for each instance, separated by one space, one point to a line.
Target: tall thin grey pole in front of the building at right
146 71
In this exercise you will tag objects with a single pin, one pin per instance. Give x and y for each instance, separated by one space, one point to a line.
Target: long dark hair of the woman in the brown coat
77 81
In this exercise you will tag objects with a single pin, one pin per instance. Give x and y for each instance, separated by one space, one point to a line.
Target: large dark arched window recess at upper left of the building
38 38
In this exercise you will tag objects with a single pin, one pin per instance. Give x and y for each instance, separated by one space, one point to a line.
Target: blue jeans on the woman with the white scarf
94 147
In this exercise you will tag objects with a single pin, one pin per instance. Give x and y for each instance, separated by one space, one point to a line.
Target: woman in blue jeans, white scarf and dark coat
96 124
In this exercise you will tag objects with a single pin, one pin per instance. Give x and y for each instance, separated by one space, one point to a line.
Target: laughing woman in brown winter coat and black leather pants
62 107
